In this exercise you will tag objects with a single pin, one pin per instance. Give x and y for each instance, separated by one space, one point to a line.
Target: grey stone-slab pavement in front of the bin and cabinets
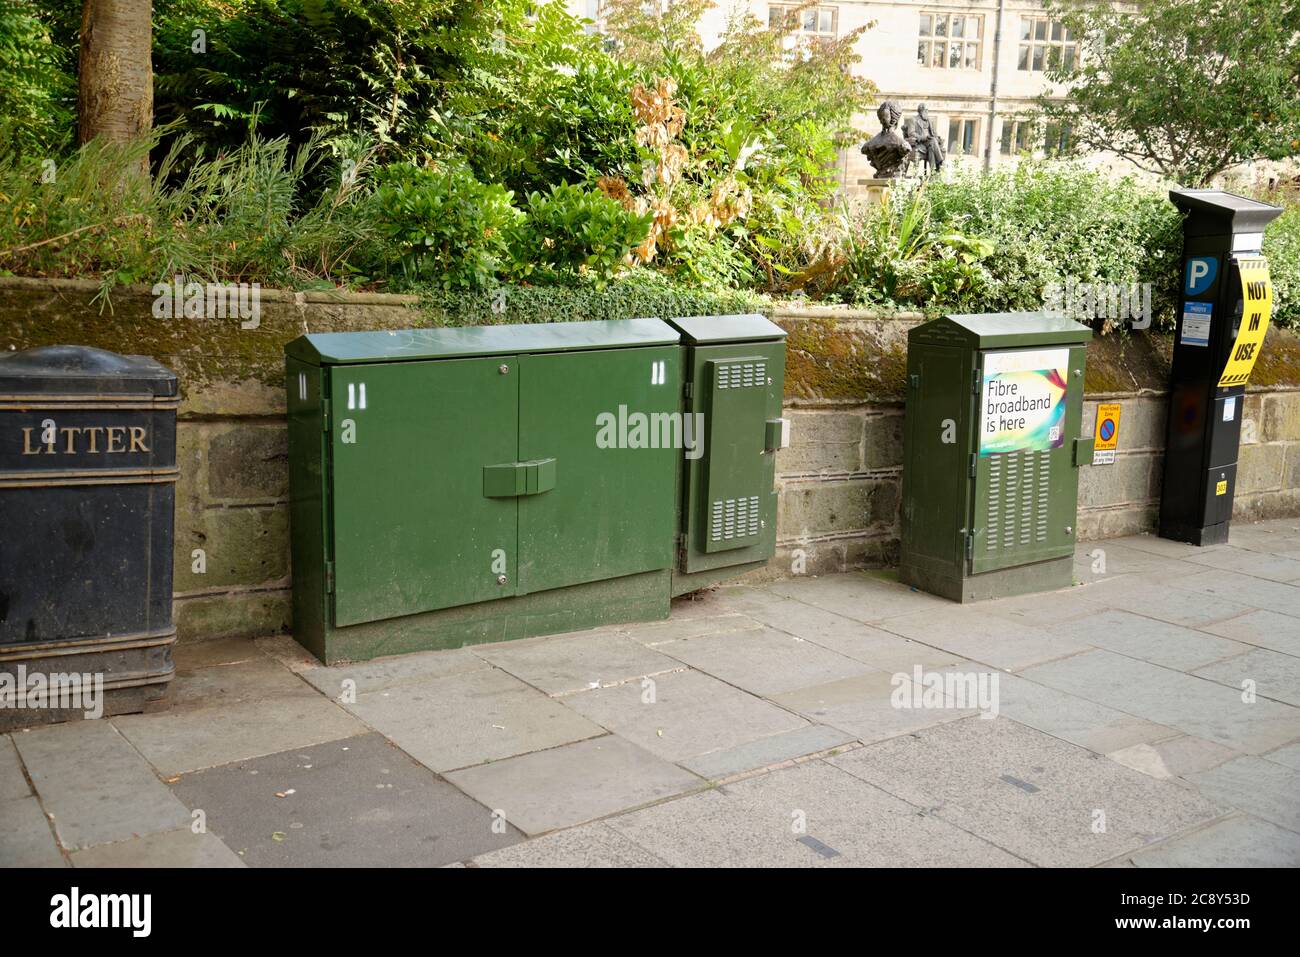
1149 717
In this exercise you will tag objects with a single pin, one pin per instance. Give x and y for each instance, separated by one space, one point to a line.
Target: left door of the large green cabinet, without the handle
413 530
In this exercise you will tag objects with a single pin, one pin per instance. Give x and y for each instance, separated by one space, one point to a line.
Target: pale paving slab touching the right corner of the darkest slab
574 785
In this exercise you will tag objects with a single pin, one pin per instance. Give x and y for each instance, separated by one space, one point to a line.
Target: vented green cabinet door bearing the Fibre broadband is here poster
1026 480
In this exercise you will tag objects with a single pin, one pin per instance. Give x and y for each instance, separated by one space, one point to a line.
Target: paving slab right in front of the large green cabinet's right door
578 662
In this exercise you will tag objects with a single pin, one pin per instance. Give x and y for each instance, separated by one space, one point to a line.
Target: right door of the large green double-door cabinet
610 422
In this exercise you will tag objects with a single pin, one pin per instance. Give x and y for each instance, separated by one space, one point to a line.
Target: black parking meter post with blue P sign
1221 233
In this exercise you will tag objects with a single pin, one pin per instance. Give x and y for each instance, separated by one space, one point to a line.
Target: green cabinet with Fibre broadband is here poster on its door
993 451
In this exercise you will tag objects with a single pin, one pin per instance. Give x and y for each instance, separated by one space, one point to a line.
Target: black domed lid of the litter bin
83 371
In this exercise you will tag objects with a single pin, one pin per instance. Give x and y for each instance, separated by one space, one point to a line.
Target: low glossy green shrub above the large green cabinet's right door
573 232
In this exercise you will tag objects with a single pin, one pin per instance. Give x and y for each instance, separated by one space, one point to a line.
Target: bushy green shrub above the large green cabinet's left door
444 227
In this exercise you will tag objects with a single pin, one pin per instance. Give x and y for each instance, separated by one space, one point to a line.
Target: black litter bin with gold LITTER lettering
88 495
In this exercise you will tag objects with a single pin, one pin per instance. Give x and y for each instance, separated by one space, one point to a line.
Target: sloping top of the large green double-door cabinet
401 345
